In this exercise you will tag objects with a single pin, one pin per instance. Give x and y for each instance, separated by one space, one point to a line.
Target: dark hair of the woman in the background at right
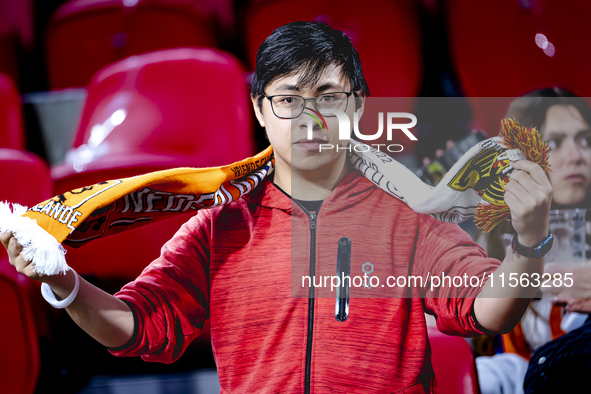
530 109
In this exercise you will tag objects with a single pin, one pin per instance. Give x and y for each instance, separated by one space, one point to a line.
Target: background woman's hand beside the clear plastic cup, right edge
575 294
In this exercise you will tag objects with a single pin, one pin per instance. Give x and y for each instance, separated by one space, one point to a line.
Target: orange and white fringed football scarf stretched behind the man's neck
474 185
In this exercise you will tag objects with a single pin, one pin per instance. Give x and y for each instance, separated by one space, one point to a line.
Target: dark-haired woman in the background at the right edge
563 120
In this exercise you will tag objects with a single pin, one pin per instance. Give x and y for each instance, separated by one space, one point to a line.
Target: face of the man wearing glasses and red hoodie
289 137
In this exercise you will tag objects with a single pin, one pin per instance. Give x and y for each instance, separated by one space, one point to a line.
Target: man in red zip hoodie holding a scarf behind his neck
235 264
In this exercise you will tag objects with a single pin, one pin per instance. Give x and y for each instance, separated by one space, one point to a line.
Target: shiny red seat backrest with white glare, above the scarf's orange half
170 108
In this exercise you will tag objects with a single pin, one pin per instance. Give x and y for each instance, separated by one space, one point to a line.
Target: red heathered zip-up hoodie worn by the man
241 265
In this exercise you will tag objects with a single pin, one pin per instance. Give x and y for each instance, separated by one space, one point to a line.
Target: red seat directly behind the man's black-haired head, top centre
386 34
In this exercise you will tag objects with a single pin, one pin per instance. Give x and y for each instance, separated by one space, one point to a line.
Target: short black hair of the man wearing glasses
306 47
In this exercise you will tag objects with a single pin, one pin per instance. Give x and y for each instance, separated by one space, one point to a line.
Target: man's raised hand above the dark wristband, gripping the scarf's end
529 195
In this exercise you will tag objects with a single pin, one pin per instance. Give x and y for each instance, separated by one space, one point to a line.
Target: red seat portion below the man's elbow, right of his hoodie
453 364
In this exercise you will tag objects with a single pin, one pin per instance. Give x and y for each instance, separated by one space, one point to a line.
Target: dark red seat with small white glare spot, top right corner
507 48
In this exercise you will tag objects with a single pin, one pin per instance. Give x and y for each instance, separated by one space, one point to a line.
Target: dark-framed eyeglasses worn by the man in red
289 106
